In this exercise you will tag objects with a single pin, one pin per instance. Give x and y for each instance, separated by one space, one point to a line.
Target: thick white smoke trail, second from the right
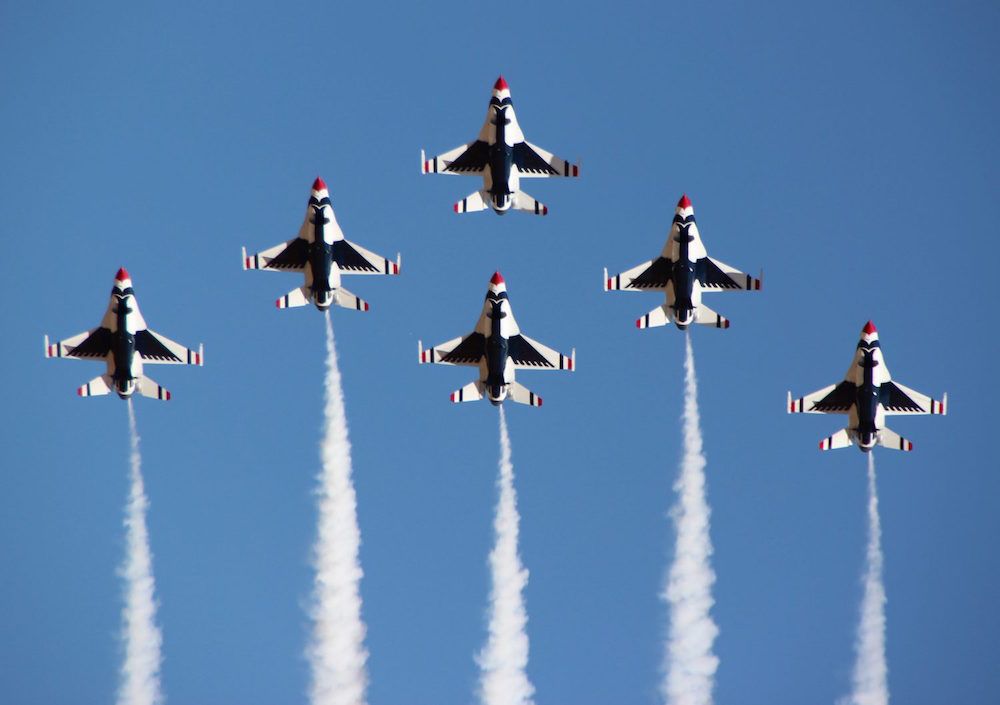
690 664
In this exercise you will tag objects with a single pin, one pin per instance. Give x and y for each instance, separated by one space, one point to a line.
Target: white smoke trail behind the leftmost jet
140 673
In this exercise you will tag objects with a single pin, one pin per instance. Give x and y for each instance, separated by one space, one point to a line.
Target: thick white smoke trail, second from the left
336 652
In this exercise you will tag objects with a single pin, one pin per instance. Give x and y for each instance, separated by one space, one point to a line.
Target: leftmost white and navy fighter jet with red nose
124 343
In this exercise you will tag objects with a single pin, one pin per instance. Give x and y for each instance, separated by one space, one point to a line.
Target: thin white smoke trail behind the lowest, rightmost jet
870 670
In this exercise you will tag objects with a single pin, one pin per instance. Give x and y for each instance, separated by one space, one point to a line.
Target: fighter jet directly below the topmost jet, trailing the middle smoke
497 347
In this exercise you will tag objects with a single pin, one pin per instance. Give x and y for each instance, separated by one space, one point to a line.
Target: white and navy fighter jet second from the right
683 271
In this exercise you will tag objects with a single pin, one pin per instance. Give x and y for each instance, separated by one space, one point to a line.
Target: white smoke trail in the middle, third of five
502 662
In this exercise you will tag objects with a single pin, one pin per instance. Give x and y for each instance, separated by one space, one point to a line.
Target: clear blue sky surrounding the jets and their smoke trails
850 150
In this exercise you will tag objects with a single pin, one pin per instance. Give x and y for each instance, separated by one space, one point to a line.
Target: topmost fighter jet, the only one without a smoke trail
502 157
